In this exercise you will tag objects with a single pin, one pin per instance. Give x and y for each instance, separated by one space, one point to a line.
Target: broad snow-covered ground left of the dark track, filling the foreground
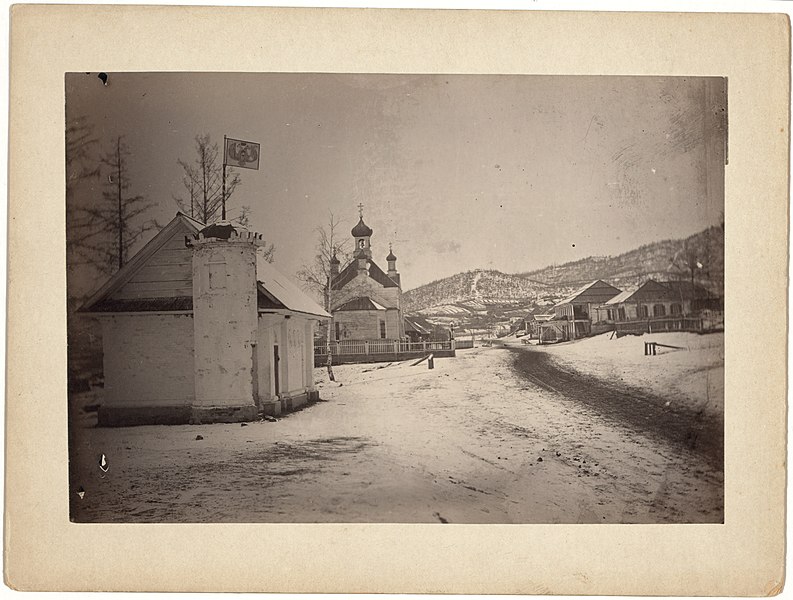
471 441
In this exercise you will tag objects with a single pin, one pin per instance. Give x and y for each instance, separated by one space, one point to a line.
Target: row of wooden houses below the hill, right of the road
655 306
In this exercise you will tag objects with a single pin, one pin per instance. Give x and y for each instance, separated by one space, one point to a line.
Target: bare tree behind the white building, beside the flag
203 182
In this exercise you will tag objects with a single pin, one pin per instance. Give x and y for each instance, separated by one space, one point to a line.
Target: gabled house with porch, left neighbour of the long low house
573 316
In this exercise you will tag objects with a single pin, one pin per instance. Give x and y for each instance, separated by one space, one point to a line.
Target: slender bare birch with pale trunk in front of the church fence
317 276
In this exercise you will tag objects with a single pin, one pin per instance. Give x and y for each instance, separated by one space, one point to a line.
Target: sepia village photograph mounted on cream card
395 298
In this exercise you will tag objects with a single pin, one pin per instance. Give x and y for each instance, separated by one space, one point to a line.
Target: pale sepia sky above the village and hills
506 172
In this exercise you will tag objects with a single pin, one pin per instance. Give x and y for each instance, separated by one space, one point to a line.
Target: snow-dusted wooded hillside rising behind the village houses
476 291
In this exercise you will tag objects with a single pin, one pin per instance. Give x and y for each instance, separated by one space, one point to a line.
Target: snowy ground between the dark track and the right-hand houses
692 375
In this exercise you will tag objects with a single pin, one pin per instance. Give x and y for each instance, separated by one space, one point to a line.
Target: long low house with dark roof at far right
661 306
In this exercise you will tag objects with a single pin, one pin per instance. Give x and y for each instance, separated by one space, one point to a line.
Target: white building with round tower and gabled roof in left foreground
198 327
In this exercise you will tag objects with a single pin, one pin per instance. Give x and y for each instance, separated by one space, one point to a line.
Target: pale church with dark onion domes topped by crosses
365 301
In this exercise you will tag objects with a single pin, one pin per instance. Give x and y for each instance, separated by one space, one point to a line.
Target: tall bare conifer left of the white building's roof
103 232
